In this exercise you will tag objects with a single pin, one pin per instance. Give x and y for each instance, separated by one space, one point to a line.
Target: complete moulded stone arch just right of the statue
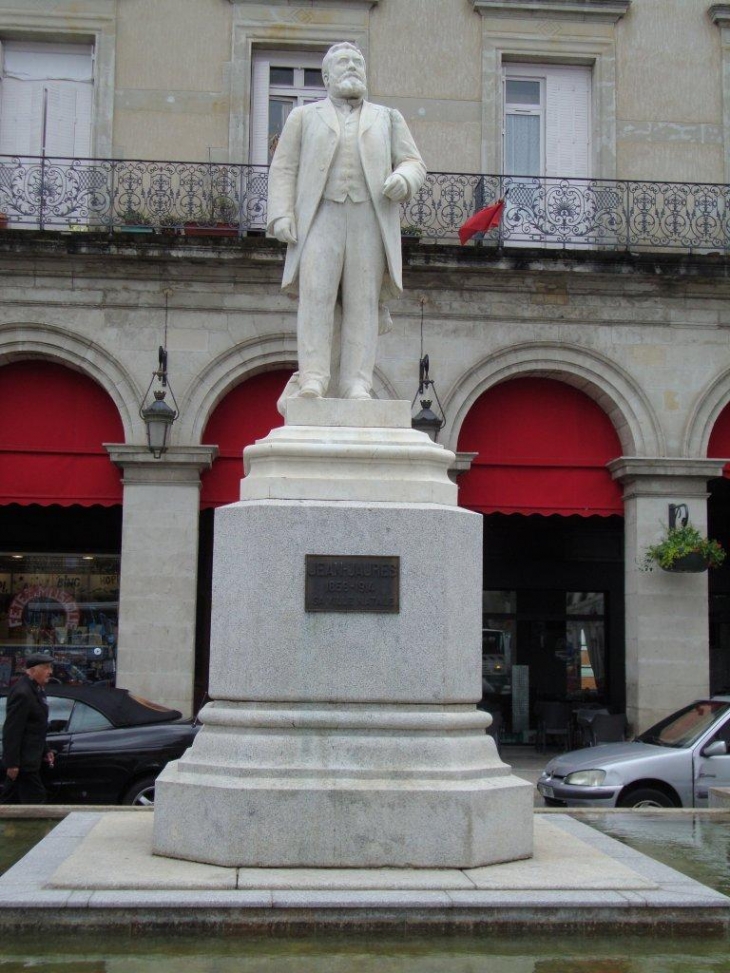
598 377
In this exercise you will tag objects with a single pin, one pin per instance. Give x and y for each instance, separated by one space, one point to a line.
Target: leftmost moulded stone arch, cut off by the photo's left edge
24 341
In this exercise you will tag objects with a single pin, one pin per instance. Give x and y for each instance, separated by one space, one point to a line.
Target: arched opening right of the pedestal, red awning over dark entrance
553 550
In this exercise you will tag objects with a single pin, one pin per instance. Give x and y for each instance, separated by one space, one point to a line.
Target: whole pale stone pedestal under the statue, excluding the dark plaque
345 738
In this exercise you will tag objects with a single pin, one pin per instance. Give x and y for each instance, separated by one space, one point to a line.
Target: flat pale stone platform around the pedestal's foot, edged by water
96 870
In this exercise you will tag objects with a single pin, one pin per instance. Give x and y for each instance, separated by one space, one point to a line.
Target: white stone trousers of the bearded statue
342 255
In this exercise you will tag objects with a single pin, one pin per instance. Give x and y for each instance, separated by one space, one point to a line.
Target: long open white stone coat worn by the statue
301 164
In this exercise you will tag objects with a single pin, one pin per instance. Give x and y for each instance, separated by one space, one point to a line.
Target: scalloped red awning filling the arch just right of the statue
542 449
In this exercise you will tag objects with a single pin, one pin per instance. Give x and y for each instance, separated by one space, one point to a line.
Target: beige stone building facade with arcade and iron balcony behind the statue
580 352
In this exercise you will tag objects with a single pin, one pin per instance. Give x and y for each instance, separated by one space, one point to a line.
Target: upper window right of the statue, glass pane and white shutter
547 120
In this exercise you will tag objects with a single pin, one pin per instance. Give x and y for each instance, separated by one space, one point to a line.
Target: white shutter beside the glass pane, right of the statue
567 122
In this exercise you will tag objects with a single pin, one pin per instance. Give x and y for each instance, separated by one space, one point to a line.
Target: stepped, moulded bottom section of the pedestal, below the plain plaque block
343 787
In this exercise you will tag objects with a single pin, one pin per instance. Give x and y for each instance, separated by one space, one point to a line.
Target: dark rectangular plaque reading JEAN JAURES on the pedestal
351 583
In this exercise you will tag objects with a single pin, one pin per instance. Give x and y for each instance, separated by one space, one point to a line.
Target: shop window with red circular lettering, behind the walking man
66 605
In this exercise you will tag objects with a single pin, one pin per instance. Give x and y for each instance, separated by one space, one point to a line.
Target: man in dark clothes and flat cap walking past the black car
24 734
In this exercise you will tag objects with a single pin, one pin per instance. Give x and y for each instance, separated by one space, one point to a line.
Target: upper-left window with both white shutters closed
46 100
